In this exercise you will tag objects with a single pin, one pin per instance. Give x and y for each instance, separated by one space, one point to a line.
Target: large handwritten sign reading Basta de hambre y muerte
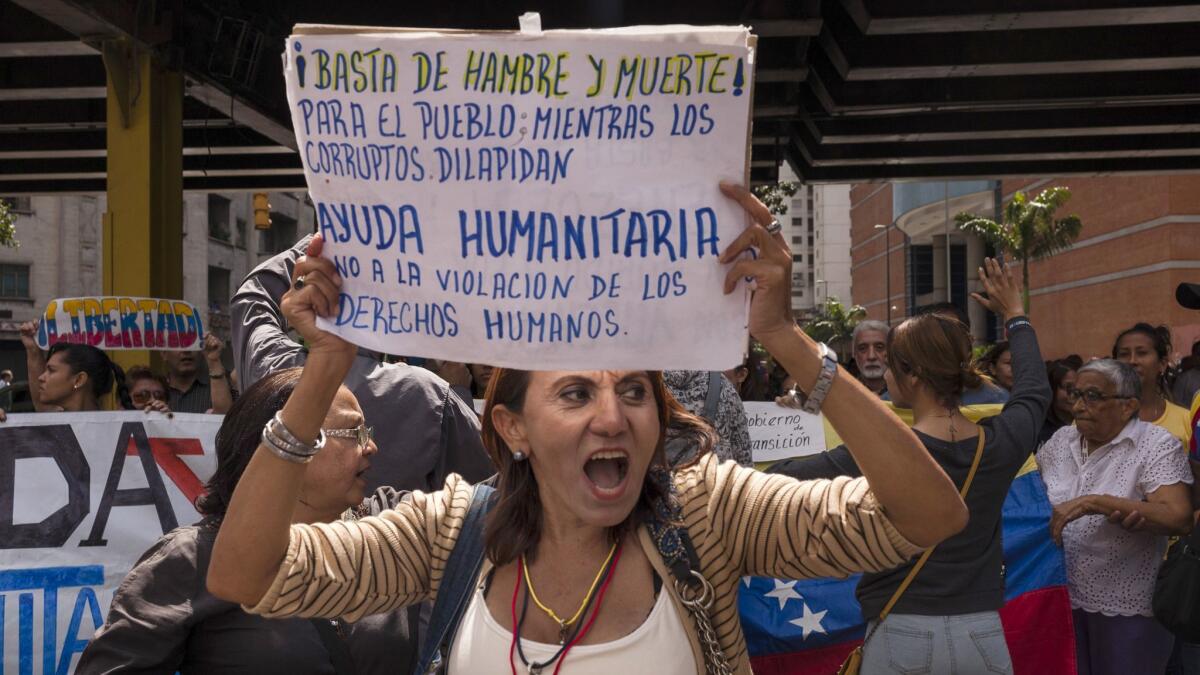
541 201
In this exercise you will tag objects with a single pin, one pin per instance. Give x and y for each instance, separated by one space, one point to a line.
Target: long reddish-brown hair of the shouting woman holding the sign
514 525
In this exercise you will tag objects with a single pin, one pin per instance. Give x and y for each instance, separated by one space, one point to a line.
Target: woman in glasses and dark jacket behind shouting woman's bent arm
164 619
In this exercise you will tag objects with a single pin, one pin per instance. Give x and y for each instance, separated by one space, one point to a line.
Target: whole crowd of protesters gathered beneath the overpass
311 517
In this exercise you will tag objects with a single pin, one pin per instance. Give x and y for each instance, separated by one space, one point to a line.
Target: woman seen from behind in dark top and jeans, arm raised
947 620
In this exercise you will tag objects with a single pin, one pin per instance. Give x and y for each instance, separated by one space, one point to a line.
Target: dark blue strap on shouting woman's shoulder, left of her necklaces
458 584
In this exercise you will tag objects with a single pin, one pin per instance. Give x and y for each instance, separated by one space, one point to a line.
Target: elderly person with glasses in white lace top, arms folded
1119 487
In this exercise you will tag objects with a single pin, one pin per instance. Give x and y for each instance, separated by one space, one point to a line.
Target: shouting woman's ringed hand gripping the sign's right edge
770 270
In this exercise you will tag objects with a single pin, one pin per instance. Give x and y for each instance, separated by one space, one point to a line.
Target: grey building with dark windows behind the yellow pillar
61 255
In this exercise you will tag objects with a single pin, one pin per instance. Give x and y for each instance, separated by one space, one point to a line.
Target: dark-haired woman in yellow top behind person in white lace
1148 349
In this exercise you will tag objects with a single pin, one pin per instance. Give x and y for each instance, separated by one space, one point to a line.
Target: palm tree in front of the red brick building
1030 231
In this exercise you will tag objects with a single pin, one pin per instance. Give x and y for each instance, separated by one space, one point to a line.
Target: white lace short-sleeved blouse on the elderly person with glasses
1109 570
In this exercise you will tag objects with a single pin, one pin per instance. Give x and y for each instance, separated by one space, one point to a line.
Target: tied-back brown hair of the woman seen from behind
937 350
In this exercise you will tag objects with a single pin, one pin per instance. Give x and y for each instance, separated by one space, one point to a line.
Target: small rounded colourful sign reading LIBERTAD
122 324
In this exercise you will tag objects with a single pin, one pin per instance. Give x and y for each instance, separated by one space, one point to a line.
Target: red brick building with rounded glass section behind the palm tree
1141 240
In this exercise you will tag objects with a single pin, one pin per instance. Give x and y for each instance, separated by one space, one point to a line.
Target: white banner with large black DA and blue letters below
82 498
